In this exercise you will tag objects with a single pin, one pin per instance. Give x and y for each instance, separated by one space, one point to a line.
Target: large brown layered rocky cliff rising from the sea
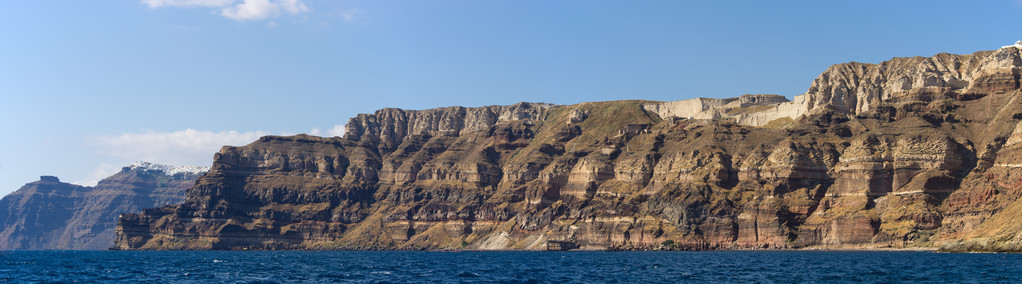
911 153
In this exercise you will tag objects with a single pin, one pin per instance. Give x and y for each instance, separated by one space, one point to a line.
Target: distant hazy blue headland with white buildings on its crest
53 215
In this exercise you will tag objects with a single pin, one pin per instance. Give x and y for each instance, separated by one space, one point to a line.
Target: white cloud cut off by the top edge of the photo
241 11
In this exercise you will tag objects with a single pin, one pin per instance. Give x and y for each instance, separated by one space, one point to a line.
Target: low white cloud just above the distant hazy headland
188 148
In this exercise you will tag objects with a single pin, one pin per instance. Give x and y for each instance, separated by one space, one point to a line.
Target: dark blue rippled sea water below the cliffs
508 267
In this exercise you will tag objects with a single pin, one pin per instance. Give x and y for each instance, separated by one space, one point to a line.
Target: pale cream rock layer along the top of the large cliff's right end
856 88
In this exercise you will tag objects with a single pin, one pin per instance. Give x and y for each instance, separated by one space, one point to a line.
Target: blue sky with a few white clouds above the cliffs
88 87
